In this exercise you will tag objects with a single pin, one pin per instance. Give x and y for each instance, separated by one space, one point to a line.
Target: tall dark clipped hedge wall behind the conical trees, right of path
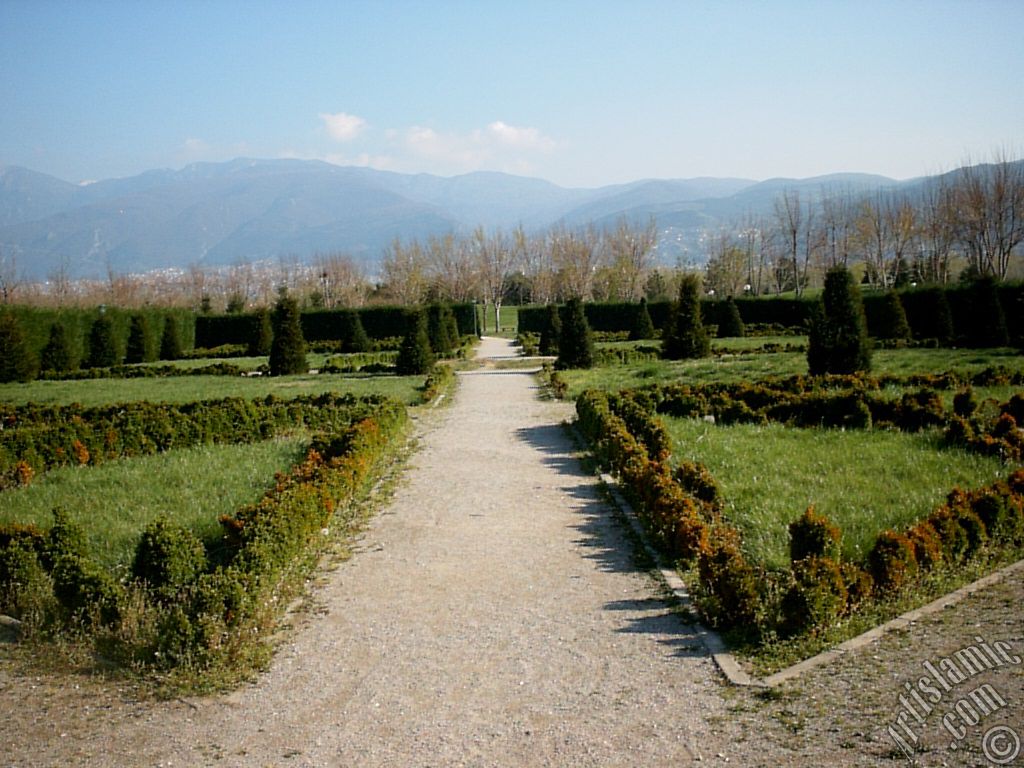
963 315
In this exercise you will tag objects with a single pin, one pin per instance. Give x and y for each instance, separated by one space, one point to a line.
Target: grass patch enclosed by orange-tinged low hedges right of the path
865 482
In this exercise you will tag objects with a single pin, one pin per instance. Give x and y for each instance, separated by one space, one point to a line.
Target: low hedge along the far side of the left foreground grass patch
36 439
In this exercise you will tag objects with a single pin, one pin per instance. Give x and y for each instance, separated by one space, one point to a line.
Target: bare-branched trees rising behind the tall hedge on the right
968 224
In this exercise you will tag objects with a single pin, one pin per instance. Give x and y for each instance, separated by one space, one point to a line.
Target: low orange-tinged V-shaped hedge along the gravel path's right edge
681 510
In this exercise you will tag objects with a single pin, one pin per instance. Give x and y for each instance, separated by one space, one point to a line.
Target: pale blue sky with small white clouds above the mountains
582 94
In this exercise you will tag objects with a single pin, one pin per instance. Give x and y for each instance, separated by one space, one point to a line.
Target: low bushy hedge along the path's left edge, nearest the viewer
180 609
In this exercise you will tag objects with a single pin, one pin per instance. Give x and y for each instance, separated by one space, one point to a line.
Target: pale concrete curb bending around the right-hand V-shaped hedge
728 663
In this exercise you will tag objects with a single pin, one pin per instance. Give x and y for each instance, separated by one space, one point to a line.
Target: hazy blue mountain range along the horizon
214 215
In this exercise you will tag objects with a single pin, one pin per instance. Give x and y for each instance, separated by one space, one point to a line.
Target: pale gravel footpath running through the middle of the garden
494 618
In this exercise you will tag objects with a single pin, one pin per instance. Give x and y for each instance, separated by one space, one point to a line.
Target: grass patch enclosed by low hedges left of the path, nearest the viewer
115 501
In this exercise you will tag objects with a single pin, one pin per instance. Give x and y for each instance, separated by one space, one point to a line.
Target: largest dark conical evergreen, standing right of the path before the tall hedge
838 340
